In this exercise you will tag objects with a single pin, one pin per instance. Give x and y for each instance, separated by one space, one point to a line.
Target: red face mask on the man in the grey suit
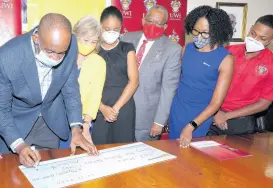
152 32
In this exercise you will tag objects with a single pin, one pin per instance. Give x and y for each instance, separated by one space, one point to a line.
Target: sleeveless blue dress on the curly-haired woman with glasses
199 77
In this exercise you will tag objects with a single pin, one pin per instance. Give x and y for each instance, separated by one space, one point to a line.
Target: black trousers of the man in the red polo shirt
236 126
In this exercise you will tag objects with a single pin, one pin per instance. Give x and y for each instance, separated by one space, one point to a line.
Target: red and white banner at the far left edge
10 20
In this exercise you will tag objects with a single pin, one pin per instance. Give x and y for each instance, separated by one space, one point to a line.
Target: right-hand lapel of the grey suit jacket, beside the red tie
154 53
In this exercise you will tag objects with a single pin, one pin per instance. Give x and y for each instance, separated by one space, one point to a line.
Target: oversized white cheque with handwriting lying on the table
80 168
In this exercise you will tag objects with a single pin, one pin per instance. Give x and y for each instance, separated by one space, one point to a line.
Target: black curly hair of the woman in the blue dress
220 27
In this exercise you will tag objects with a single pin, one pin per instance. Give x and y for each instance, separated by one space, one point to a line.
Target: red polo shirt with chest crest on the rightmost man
252 78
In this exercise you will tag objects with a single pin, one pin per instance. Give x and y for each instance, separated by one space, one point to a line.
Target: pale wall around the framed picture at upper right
256 9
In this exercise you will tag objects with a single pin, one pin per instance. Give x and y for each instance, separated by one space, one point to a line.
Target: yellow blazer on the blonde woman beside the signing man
91 81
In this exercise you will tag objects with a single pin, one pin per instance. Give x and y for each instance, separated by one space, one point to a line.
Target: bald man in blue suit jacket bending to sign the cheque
39 92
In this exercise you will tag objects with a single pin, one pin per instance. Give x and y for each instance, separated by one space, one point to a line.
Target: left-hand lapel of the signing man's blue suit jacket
30 72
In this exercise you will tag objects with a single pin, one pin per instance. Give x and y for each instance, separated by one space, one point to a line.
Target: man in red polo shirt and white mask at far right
251 90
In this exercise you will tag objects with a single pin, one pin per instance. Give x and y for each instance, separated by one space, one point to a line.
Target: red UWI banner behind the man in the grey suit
134 10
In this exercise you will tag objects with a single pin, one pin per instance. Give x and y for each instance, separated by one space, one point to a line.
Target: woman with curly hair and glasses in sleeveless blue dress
207 69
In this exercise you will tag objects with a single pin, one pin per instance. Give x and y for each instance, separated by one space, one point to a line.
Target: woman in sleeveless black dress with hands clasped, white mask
116 118
